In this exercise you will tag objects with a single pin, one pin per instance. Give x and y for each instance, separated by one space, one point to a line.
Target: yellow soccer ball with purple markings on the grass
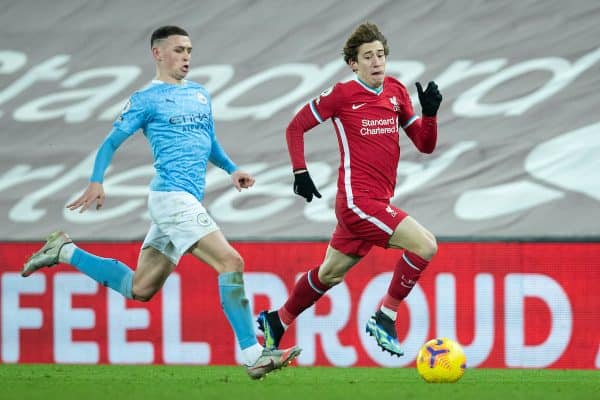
441 360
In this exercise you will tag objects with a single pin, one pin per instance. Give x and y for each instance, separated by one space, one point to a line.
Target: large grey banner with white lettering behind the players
519 132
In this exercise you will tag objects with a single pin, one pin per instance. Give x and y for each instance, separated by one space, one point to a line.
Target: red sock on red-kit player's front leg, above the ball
407 273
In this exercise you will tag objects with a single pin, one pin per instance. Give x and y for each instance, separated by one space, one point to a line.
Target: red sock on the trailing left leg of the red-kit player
306 292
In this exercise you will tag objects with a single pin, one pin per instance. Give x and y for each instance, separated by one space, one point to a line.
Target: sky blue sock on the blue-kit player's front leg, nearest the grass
236 307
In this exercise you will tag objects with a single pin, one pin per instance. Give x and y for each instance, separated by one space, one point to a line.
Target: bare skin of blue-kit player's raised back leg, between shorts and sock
152 271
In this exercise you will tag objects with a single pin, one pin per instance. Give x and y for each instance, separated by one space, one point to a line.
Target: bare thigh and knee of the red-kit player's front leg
414 237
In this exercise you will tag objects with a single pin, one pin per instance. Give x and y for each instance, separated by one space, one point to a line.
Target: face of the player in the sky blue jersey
173 56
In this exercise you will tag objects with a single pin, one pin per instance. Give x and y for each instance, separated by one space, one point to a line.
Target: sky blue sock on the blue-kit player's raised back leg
106 271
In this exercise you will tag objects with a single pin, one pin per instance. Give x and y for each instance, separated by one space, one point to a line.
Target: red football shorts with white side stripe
364 223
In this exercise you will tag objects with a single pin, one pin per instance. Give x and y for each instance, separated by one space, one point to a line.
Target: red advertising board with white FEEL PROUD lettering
509 304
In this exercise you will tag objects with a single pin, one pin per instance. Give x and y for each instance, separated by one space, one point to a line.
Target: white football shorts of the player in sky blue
178 221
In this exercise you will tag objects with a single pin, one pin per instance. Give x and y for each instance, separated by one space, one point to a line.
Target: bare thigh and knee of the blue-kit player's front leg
216 251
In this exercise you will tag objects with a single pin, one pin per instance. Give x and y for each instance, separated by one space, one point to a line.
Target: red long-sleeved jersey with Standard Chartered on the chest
366 122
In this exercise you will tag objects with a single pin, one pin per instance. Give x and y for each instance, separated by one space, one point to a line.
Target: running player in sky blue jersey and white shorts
175 115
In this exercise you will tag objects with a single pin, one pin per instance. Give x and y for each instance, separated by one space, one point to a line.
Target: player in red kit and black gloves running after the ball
367 114
